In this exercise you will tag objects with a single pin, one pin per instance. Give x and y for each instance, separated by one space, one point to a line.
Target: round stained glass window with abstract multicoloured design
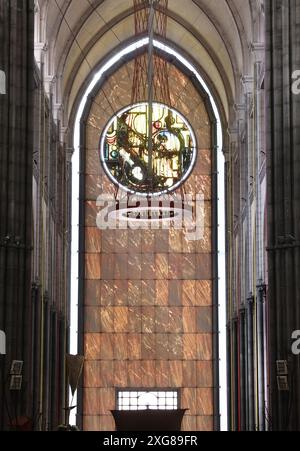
140 166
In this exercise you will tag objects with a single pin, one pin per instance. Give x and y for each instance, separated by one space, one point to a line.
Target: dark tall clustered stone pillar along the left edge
16 112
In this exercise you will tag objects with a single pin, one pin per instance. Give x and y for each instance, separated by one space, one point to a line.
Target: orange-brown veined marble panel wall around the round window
148 293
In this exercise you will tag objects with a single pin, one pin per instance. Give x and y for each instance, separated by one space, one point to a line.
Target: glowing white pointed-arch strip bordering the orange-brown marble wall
221 216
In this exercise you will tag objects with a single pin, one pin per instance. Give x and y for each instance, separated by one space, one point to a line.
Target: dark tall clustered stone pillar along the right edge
283 172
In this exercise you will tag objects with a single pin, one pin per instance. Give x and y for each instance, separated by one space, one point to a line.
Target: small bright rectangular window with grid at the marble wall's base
152 400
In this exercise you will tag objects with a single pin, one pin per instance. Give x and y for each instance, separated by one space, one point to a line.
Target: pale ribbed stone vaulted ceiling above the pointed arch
222 37
